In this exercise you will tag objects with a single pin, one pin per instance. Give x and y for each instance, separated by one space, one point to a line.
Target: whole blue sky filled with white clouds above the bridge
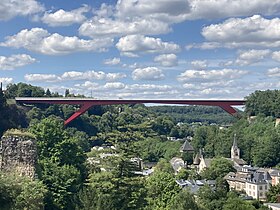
156 49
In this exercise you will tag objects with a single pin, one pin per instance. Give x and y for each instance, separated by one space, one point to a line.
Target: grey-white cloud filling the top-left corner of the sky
12 8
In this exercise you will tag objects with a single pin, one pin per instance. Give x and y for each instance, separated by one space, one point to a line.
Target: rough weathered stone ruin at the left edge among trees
18 154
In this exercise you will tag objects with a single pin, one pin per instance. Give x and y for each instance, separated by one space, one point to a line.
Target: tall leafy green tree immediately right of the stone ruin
61 160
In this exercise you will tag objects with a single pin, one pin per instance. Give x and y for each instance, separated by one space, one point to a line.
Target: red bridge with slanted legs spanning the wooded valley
86 103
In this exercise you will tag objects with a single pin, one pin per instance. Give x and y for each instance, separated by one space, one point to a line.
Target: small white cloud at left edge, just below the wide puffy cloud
14 61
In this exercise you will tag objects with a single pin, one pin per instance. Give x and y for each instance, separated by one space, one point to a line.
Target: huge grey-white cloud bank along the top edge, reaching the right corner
145 17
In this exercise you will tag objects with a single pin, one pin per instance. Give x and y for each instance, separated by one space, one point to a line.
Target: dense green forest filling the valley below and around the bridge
67 180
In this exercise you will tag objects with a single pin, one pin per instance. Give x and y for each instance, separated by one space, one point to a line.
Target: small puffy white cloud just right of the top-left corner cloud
65 18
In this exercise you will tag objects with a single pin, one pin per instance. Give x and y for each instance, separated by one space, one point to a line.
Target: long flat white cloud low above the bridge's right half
210 75
